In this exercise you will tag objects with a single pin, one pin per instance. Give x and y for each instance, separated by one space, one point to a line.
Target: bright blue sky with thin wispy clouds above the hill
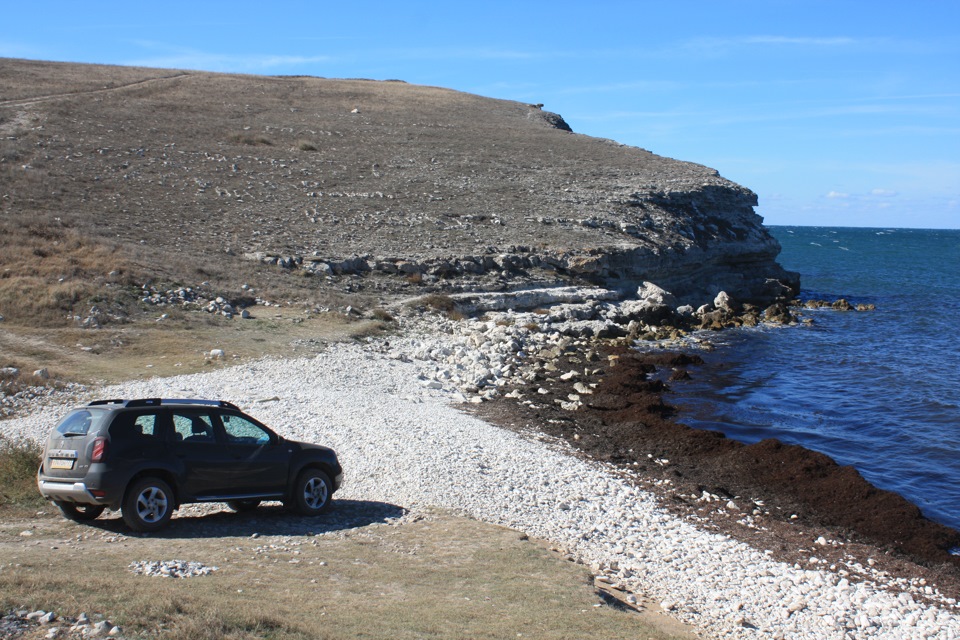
836 113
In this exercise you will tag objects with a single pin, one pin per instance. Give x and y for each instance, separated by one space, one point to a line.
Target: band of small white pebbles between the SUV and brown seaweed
401 442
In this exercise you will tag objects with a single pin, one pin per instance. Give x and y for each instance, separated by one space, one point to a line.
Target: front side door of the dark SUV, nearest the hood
259 457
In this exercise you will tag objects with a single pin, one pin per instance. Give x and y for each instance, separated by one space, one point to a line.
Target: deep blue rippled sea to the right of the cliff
879 390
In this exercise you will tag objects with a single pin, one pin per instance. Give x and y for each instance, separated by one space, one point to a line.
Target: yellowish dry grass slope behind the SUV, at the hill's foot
52 274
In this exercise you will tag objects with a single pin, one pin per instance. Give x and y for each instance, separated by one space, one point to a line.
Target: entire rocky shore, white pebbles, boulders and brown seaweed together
737 540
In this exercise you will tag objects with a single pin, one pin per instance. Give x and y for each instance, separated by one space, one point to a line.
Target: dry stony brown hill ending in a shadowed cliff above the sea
368 185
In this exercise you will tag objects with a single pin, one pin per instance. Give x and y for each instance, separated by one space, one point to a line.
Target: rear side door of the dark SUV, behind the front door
205 460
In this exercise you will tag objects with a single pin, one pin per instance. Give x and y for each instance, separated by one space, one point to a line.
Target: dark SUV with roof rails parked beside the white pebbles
146 457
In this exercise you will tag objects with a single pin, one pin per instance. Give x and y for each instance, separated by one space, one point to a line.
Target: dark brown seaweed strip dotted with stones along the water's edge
777 497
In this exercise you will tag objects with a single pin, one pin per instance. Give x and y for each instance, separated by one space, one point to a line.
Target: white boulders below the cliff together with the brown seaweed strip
580 380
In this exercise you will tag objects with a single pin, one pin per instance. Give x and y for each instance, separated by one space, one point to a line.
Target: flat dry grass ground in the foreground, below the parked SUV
415 580
